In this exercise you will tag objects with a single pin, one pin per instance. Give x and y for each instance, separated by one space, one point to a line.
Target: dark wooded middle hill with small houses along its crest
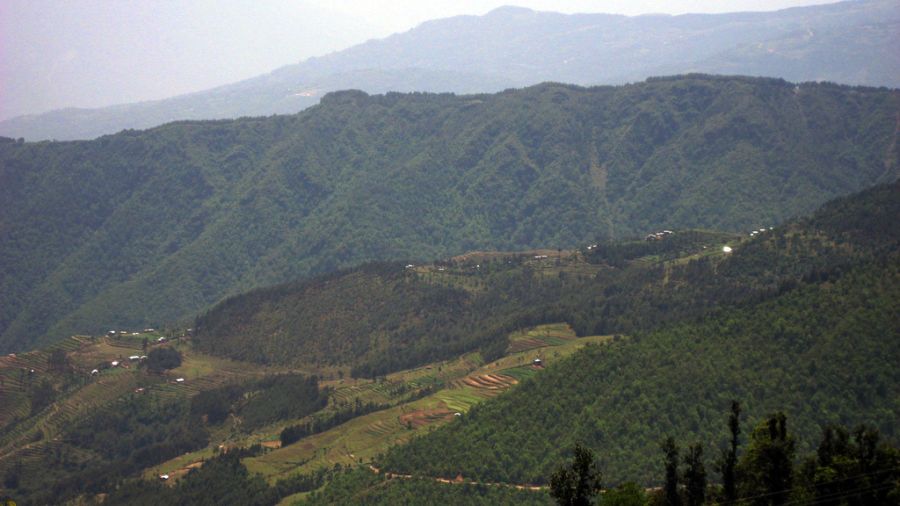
385 317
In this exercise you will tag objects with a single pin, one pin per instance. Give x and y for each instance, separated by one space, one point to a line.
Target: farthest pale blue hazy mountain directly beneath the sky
849 42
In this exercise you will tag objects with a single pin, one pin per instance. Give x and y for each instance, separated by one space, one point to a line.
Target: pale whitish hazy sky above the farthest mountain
92 53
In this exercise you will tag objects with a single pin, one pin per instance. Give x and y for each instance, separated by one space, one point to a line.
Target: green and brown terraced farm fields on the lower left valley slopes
451 388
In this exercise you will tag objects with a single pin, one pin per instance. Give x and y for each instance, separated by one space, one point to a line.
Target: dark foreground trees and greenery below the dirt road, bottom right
760 466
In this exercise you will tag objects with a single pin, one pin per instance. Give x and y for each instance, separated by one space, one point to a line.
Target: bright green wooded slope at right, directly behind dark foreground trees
823 351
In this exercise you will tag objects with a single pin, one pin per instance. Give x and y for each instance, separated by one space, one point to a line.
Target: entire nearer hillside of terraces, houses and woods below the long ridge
800 318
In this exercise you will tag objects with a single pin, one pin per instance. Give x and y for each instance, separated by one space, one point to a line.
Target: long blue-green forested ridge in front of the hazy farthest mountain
143 227
